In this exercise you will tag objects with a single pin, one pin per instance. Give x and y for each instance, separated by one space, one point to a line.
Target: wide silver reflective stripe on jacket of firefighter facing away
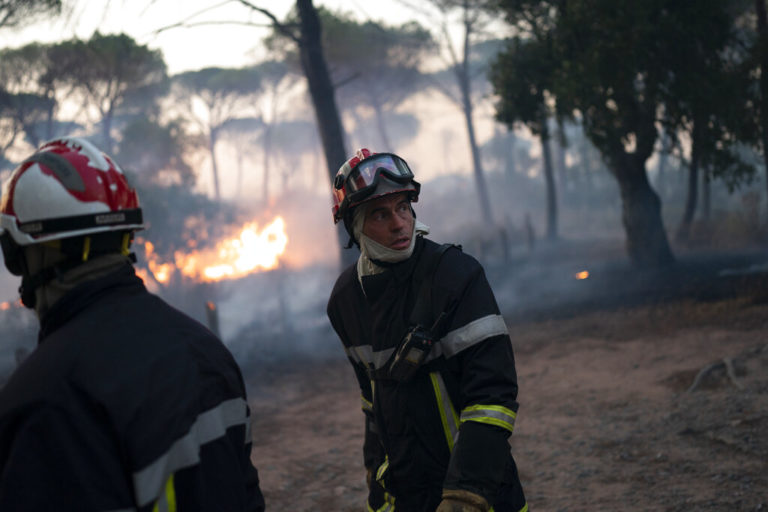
210 425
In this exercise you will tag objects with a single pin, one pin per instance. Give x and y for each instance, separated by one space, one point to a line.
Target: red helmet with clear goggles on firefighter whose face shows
369 175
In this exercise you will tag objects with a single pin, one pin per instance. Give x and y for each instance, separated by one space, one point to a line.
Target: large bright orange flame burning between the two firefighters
249 251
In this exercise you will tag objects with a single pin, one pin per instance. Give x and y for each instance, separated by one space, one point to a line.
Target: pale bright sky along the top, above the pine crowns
225 44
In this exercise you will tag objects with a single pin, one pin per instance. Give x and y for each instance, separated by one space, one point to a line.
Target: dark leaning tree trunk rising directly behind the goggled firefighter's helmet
321 91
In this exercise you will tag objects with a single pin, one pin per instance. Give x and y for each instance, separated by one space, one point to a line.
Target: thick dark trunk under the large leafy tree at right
647 243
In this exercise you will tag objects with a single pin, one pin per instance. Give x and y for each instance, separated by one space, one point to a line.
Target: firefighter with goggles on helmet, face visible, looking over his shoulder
430 350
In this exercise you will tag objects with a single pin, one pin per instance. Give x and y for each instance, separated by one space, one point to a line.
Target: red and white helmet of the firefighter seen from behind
68 188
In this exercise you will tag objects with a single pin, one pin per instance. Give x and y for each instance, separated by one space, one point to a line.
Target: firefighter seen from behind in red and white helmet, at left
126 403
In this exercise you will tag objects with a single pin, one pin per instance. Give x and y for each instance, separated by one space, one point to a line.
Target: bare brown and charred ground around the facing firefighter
638 391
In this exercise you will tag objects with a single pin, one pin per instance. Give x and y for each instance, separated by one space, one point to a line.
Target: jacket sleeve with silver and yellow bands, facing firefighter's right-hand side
478 342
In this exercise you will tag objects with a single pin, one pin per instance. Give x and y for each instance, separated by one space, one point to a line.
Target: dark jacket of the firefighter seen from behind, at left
125 405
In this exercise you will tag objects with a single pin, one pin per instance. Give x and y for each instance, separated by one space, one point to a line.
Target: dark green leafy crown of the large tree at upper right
625 68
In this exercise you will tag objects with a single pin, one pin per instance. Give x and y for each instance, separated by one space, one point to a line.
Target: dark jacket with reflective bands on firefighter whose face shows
448 426
